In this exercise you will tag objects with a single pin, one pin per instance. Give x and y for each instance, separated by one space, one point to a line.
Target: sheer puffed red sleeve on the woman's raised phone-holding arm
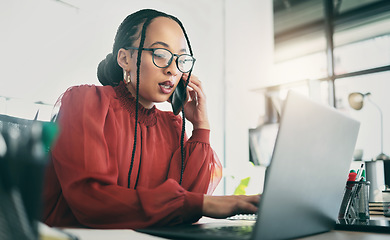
202 168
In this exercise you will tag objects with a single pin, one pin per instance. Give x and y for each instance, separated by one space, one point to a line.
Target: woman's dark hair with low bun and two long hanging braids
110 73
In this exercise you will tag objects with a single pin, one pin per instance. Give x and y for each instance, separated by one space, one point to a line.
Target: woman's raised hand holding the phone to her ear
195 109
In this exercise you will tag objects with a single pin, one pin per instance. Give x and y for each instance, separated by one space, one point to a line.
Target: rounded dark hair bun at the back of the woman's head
109 72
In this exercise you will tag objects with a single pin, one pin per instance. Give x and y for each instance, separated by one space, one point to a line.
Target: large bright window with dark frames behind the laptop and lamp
360 47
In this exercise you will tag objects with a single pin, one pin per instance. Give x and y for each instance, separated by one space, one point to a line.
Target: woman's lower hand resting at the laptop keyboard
226 206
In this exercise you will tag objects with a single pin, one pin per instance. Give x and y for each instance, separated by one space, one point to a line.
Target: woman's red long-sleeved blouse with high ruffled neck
86 178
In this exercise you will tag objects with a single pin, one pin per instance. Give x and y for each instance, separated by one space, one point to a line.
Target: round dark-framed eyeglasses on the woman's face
162 58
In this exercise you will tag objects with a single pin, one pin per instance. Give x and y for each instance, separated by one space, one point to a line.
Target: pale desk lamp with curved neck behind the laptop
356 101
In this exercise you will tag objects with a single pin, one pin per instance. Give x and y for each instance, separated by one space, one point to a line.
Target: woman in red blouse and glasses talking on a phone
106 171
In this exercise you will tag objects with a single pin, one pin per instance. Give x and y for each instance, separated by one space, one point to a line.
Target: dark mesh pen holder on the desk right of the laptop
355 201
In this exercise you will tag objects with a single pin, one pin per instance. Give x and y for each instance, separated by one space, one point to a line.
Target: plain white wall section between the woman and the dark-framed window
248 63
